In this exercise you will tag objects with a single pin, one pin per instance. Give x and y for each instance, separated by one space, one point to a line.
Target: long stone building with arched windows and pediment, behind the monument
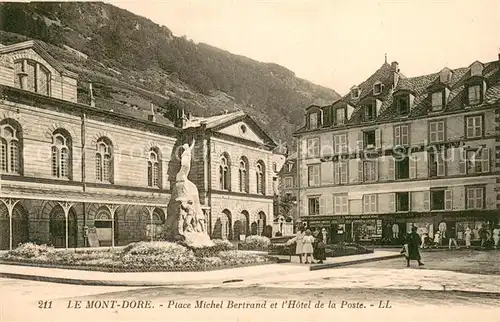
69 167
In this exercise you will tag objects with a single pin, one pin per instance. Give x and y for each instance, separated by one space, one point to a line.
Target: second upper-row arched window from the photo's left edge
61 154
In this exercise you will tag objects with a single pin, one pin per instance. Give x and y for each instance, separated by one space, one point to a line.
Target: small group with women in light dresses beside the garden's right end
310 245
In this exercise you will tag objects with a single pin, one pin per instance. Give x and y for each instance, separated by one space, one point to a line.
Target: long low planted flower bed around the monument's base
136 257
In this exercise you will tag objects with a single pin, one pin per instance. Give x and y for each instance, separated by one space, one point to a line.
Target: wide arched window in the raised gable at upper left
32 76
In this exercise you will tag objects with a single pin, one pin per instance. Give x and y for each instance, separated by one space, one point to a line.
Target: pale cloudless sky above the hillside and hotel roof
336 43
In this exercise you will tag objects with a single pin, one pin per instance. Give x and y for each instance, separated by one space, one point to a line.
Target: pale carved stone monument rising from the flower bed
185 218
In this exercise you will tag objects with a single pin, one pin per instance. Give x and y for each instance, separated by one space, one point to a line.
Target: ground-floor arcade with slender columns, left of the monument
63 224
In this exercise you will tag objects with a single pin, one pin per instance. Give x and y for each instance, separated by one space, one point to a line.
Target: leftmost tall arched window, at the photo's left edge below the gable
11 146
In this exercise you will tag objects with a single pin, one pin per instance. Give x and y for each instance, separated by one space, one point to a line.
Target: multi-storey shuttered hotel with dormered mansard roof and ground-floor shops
399 151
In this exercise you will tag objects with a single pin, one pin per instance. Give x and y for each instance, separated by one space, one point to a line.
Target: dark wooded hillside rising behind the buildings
131 60
